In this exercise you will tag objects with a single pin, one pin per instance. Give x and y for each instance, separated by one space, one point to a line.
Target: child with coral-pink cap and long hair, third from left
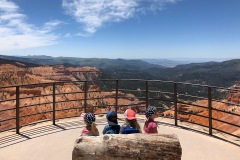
131 125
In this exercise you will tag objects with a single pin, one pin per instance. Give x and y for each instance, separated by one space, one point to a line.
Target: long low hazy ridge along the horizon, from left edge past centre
101 63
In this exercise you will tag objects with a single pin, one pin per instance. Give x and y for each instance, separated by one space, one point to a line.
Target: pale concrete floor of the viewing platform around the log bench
55 142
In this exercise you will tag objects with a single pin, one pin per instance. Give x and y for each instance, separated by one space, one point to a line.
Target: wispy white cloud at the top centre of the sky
95 13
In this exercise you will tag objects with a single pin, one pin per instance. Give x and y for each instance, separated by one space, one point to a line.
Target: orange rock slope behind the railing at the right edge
232 97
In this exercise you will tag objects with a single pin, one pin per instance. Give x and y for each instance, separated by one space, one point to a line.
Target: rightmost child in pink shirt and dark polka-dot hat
150 125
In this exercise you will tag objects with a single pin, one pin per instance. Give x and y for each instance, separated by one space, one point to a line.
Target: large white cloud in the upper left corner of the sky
16 33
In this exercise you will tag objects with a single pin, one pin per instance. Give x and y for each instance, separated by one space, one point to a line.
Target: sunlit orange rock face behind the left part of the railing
20 75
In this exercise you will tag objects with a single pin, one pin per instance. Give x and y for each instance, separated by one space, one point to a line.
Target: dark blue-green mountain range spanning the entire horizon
223 74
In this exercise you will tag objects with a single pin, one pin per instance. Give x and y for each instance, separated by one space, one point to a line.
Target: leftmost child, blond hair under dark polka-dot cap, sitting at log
90 129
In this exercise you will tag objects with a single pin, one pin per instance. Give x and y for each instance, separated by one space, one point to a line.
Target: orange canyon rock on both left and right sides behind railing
36 101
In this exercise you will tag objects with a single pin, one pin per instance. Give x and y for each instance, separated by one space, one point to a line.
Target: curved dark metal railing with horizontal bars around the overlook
148 98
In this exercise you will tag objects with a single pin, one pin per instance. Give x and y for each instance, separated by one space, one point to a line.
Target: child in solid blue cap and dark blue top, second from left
112 127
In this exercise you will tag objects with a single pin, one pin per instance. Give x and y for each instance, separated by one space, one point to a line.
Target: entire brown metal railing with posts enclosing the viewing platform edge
145 96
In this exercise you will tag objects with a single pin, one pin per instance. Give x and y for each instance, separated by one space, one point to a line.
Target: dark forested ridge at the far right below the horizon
224 73
